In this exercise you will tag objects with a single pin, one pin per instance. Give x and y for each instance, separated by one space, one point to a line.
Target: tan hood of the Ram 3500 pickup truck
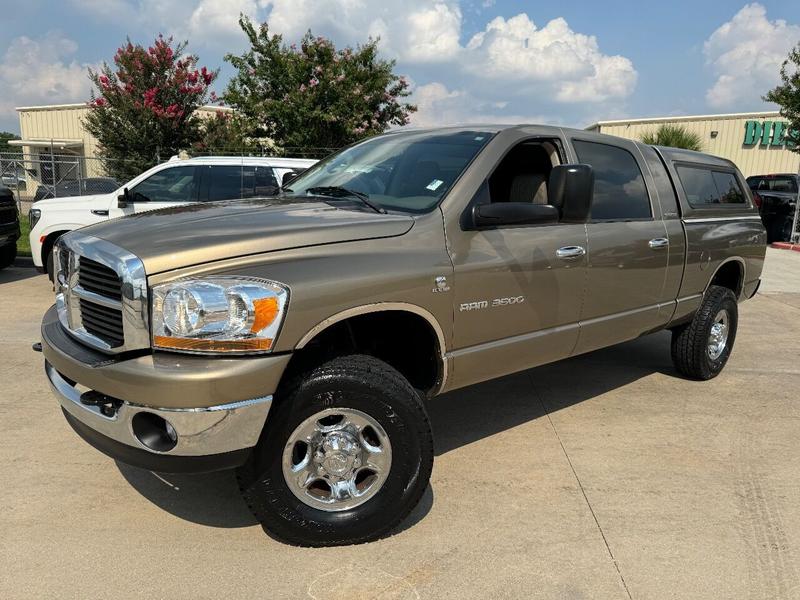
198 233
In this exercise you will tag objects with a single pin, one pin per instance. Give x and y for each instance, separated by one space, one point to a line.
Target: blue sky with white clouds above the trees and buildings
470 60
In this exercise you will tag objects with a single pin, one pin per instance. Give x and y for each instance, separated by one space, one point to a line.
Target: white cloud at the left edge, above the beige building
41 71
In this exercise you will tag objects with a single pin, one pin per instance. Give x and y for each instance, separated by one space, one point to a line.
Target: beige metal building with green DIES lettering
758 142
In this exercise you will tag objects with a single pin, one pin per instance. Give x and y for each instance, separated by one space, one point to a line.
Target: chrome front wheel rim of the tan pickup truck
337 459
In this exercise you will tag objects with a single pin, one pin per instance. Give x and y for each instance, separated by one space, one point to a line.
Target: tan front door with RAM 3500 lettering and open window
518 290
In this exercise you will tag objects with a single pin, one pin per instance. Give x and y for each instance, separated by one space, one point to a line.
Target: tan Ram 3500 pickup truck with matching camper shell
297 338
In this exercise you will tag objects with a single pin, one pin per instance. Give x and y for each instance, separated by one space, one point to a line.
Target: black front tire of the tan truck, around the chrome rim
357 382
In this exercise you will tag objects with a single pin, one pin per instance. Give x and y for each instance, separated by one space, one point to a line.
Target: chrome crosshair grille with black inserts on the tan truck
101 294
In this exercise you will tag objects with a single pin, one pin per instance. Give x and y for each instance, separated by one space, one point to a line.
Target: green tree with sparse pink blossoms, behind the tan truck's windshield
312 98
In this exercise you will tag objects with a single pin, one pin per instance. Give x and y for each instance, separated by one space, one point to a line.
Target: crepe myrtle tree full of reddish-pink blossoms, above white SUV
143 109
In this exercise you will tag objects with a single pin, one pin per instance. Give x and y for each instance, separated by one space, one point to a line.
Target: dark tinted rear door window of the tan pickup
619 190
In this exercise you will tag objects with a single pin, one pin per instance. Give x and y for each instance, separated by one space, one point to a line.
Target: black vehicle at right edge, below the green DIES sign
776 197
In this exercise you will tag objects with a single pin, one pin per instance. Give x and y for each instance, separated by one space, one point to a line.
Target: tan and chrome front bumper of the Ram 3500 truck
205 434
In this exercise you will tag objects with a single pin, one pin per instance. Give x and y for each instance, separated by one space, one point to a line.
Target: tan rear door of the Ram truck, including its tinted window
628 246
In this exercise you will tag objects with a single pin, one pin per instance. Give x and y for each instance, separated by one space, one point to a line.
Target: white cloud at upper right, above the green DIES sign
745 54
